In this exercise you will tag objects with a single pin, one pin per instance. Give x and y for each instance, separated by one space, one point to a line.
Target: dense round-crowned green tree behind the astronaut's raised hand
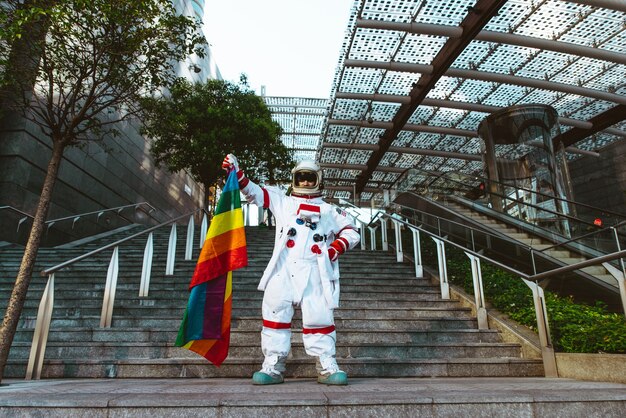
197 124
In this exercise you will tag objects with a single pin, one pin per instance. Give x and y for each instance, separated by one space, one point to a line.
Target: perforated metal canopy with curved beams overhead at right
417 77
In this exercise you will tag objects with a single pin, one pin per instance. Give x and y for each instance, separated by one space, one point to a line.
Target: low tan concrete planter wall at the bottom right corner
598 367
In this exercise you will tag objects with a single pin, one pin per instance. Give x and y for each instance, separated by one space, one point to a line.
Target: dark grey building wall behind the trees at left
103 174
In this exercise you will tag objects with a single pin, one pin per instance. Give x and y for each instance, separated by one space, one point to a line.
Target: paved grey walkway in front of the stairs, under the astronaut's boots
484 397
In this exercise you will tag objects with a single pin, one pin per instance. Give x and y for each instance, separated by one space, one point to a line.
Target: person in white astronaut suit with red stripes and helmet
303 271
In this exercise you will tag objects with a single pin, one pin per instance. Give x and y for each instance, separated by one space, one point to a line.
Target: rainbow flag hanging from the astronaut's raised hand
205 328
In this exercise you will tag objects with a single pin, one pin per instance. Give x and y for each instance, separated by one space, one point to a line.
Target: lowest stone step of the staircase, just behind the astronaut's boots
297 367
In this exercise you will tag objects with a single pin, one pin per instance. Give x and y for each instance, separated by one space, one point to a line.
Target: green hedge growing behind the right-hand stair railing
574 327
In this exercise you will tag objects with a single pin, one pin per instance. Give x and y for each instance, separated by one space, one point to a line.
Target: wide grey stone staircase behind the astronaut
390 323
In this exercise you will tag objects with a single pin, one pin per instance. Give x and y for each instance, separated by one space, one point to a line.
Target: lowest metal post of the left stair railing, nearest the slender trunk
40 335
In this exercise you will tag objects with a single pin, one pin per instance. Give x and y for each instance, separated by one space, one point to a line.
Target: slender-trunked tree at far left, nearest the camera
83 72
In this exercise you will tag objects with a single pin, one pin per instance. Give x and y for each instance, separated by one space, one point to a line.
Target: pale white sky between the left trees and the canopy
291 47
